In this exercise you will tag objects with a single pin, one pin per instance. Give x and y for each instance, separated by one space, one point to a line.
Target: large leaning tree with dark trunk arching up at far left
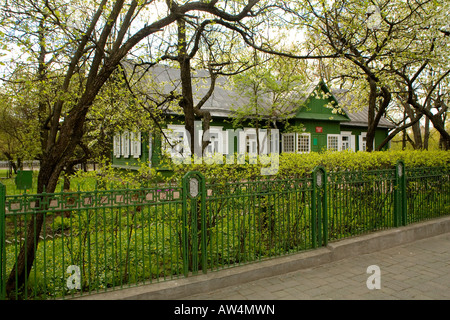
86 50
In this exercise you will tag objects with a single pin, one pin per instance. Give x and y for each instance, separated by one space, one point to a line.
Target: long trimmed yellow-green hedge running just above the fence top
290 165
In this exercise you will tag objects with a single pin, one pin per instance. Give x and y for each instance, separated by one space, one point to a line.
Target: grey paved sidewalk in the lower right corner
417 270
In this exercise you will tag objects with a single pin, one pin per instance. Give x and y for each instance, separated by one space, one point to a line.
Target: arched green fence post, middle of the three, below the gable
319 216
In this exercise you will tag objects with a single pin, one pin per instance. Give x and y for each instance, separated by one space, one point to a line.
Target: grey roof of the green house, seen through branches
160 80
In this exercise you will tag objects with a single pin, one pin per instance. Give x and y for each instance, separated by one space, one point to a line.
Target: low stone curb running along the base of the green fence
341 249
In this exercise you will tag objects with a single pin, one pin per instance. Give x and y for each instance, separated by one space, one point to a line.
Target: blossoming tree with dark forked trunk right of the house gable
372 43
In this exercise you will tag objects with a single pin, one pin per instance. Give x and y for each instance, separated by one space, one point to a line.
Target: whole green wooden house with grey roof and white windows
318 120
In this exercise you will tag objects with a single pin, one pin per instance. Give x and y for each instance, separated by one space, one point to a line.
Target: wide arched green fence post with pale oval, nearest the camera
194 223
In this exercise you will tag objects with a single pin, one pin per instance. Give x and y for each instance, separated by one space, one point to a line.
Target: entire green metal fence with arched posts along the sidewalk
107 239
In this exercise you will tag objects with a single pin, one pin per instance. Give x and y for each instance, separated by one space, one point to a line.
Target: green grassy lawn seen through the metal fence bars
122 243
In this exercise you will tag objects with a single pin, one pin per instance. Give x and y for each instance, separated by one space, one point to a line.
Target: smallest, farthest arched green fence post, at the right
400 214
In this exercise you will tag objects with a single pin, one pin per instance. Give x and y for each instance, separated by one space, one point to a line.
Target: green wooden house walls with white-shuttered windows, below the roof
314 128
